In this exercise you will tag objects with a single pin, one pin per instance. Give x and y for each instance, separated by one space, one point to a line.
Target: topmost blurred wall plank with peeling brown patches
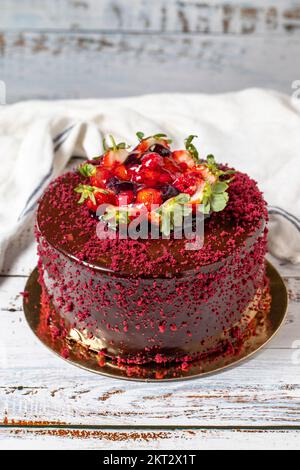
216 16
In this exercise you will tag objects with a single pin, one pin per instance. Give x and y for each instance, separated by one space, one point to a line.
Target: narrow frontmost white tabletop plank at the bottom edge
205 439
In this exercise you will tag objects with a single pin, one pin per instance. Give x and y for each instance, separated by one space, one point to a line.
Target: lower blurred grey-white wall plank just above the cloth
77 65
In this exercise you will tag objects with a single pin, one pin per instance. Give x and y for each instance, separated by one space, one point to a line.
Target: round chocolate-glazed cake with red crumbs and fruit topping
142 301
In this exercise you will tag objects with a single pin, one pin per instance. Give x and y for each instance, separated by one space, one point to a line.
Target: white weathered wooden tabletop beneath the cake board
45 402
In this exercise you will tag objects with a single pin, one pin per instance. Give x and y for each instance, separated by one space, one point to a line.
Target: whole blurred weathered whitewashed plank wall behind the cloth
92 48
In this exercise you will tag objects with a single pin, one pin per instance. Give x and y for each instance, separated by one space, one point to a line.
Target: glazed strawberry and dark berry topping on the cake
152 178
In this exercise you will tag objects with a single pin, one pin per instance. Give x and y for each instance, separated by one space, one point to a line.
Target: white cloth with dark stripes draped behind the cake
255 130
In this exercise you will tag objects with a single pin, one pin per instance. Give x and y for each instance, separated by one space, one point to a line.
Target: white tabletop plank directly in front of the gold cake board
263 392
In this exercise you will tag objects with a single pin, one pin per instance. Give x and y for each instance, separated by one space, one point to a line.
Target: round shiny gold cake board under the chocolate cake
267 326
